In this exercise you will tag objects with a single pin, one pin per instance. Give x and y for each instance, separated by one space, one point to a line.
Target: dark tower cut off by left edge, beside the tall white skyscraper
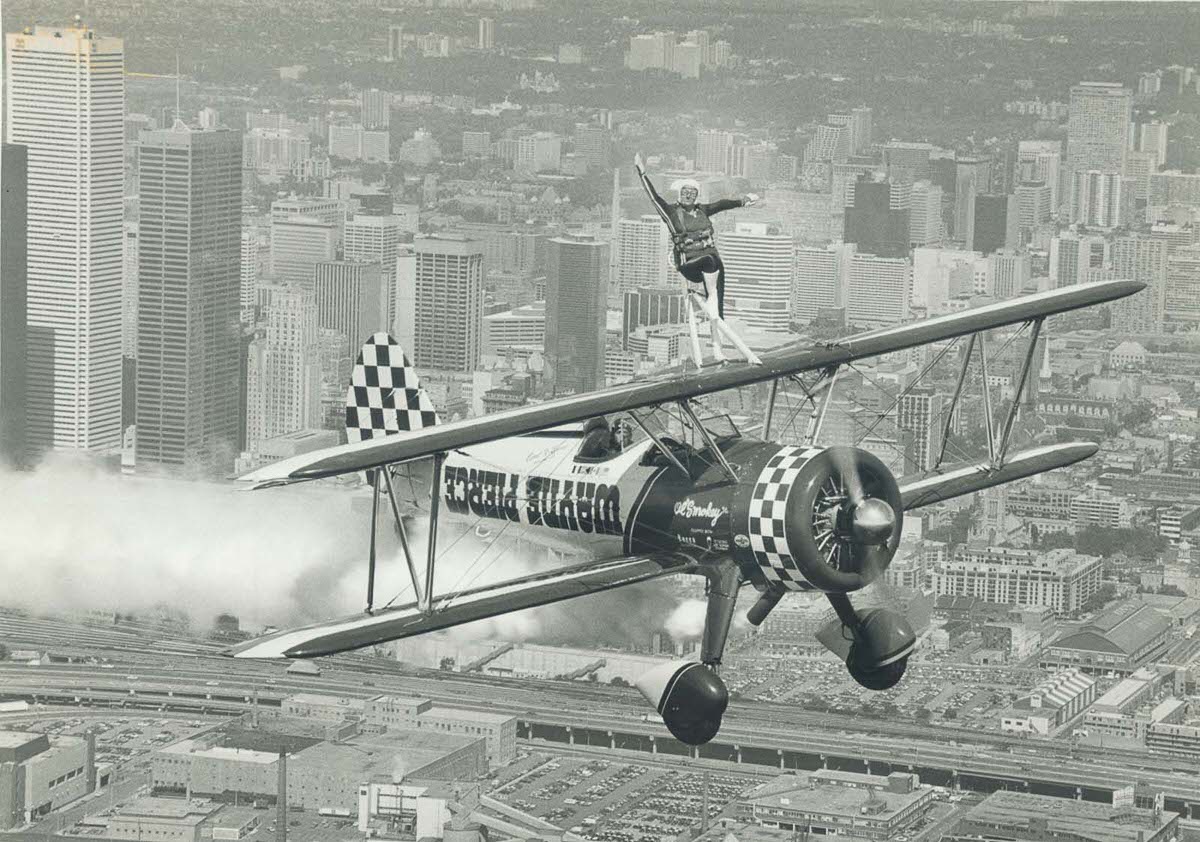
14 161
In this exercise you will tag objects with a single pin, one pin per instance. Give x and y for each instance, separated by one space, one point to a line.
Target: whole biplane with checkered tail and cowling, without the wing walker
736 509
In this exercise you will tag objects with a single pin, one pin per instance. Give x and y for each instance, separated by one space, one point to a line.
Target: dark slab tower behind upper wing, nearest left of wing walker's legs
577 302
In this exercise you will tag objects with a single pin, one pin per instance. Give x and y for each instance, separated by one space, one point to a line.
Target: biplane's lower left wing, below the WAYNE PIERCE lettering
453 610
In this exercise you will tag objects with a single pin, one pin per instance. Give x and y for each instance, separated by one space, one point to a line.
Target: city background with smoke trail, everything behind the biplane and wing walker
208 207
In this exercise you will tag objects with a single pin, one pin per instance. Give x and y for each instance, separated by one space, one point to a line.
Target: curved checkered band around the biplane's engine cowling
769 528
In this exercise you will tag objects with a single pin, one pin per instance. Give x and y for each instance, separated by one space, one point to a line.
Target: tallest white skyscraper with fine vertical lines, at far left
65 105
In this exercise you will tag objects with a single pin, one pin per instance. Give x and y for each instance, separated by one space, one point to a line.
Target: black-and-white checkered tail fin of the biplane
386 395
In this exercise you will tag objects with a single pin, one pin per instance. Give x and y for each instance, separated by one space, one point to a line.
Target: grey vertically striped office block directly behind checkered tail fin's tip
352 299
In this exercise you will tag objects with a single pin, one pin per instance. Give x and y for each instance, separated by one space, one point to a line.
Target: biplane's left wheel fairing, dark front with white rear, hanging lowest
691 699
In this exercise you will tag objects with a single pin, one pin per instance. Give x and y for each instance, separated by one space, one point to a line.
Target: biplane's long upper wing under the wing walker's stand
653 392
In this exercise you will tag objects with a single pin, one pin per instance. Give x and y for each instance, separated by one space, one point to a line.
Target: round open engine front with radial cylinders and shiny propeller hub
844 520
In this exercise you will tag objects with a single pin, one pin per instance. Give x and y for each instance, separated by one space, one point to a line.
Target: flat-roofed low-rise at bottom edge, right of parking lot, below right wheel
839 804
